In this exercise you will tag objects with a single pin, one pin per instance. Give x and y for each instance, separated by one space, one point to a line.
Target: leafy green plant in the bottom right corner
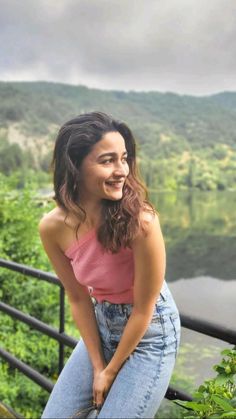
216 398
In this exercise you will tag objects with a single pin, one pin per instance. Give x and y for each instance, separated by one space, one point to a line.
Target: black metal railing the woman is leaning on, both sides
201 326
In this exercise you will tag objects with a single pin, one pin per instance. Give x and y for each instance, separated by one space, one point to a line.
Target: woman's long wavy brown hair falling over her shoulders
121 219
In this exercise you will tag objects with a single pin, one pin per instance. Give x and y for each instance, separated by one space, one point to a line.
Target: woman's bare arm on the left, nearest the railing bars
80 301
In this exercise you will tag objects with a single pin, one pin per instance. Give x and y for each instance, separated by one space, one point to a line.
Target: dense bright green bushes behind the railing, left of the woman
20 211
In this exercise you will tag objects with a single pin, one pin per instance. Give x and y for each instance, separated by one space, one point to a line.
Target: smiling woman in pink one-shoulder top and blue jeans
105 243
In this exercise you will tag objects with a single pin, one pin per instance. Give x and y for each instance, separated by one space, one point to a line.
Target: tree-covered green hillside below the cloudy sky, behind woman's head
166 125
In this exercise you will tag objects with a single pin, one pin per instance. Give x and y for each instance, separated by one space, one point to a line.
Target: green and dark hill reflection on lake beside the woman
200 233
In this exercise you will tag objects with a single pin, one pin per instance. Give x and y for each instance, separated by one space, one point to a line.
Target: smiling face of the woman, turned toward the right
104 170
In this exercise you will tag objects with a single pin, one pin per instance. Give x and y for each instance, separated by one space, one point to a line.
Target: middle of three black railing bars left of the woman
39 325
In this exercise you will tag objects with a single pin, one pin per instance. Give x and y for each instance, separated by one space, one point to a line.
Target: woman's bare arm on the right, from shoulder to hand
149 262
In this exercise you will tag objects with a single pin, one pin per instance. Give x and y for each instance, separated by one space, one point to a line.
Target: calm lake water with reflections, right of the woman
200 234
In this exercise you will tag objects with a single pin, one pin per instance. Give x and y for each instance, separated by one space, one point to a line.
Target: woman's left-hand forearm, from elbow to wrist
85 319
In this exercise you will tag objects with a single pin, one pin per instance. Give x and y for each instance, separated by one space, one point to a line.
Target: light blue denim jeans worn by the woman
141 383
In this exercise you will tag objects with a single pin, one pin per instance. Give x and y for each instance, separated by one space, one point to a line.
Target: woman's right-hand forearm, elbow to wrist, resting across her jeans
132 334
